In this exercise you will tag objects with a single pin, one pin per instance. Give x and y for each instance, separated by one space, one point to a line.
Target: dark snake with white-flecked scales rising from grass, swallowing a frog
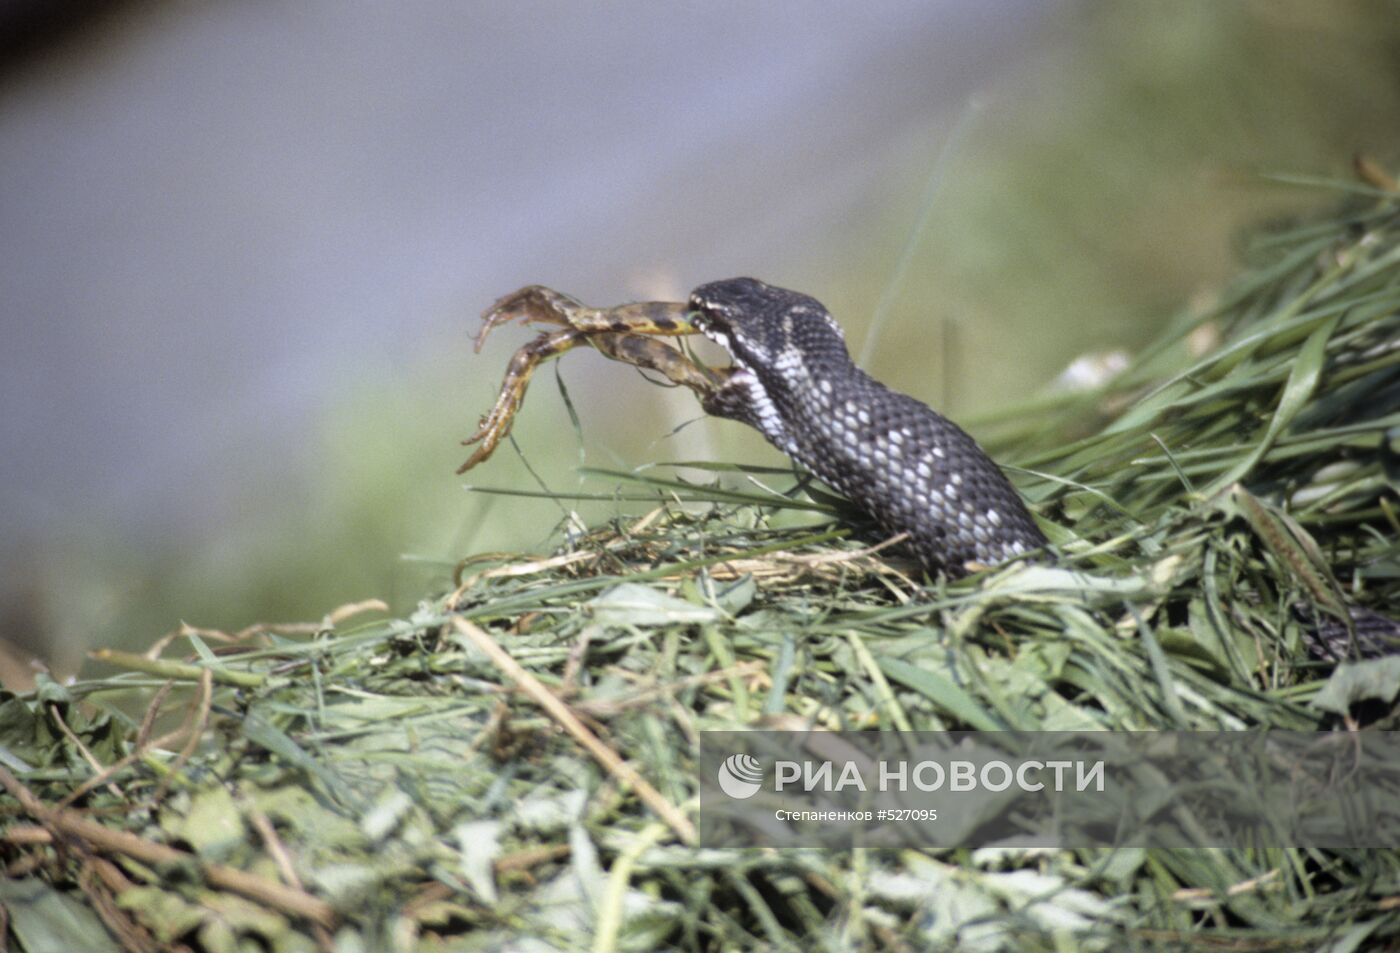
911 470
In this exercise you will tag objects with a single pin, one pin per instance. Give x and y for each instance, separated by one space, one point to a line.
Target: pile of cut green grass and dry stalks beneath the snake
512 766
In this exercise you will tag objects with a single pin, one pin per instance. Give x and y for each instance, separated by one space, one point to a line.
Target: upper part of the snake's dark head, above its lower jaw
766 328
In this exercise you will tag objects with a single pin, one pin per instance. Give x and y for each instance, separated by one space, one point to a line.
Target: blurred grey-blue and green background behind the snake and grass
246 246
